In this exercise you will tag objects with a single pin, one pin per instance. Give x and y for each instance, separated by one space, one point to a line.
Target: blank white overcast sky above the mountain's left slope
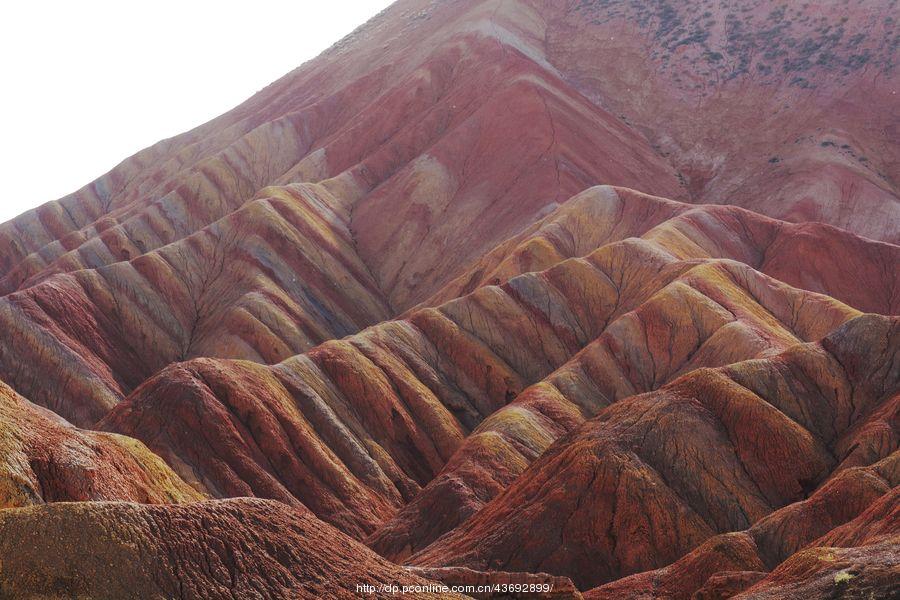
84 84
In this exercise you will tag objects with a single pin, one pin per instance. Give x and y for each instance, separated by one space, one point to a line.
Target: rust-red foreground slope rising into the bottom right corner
843 510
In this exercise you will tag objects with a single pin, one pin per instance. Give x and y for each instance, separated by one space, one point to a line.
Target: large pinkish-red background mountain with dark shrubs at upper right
414 112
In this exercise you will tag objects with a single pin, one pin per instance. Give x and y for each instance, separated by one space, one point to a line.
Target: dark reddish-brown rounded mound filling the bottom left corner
222 549
